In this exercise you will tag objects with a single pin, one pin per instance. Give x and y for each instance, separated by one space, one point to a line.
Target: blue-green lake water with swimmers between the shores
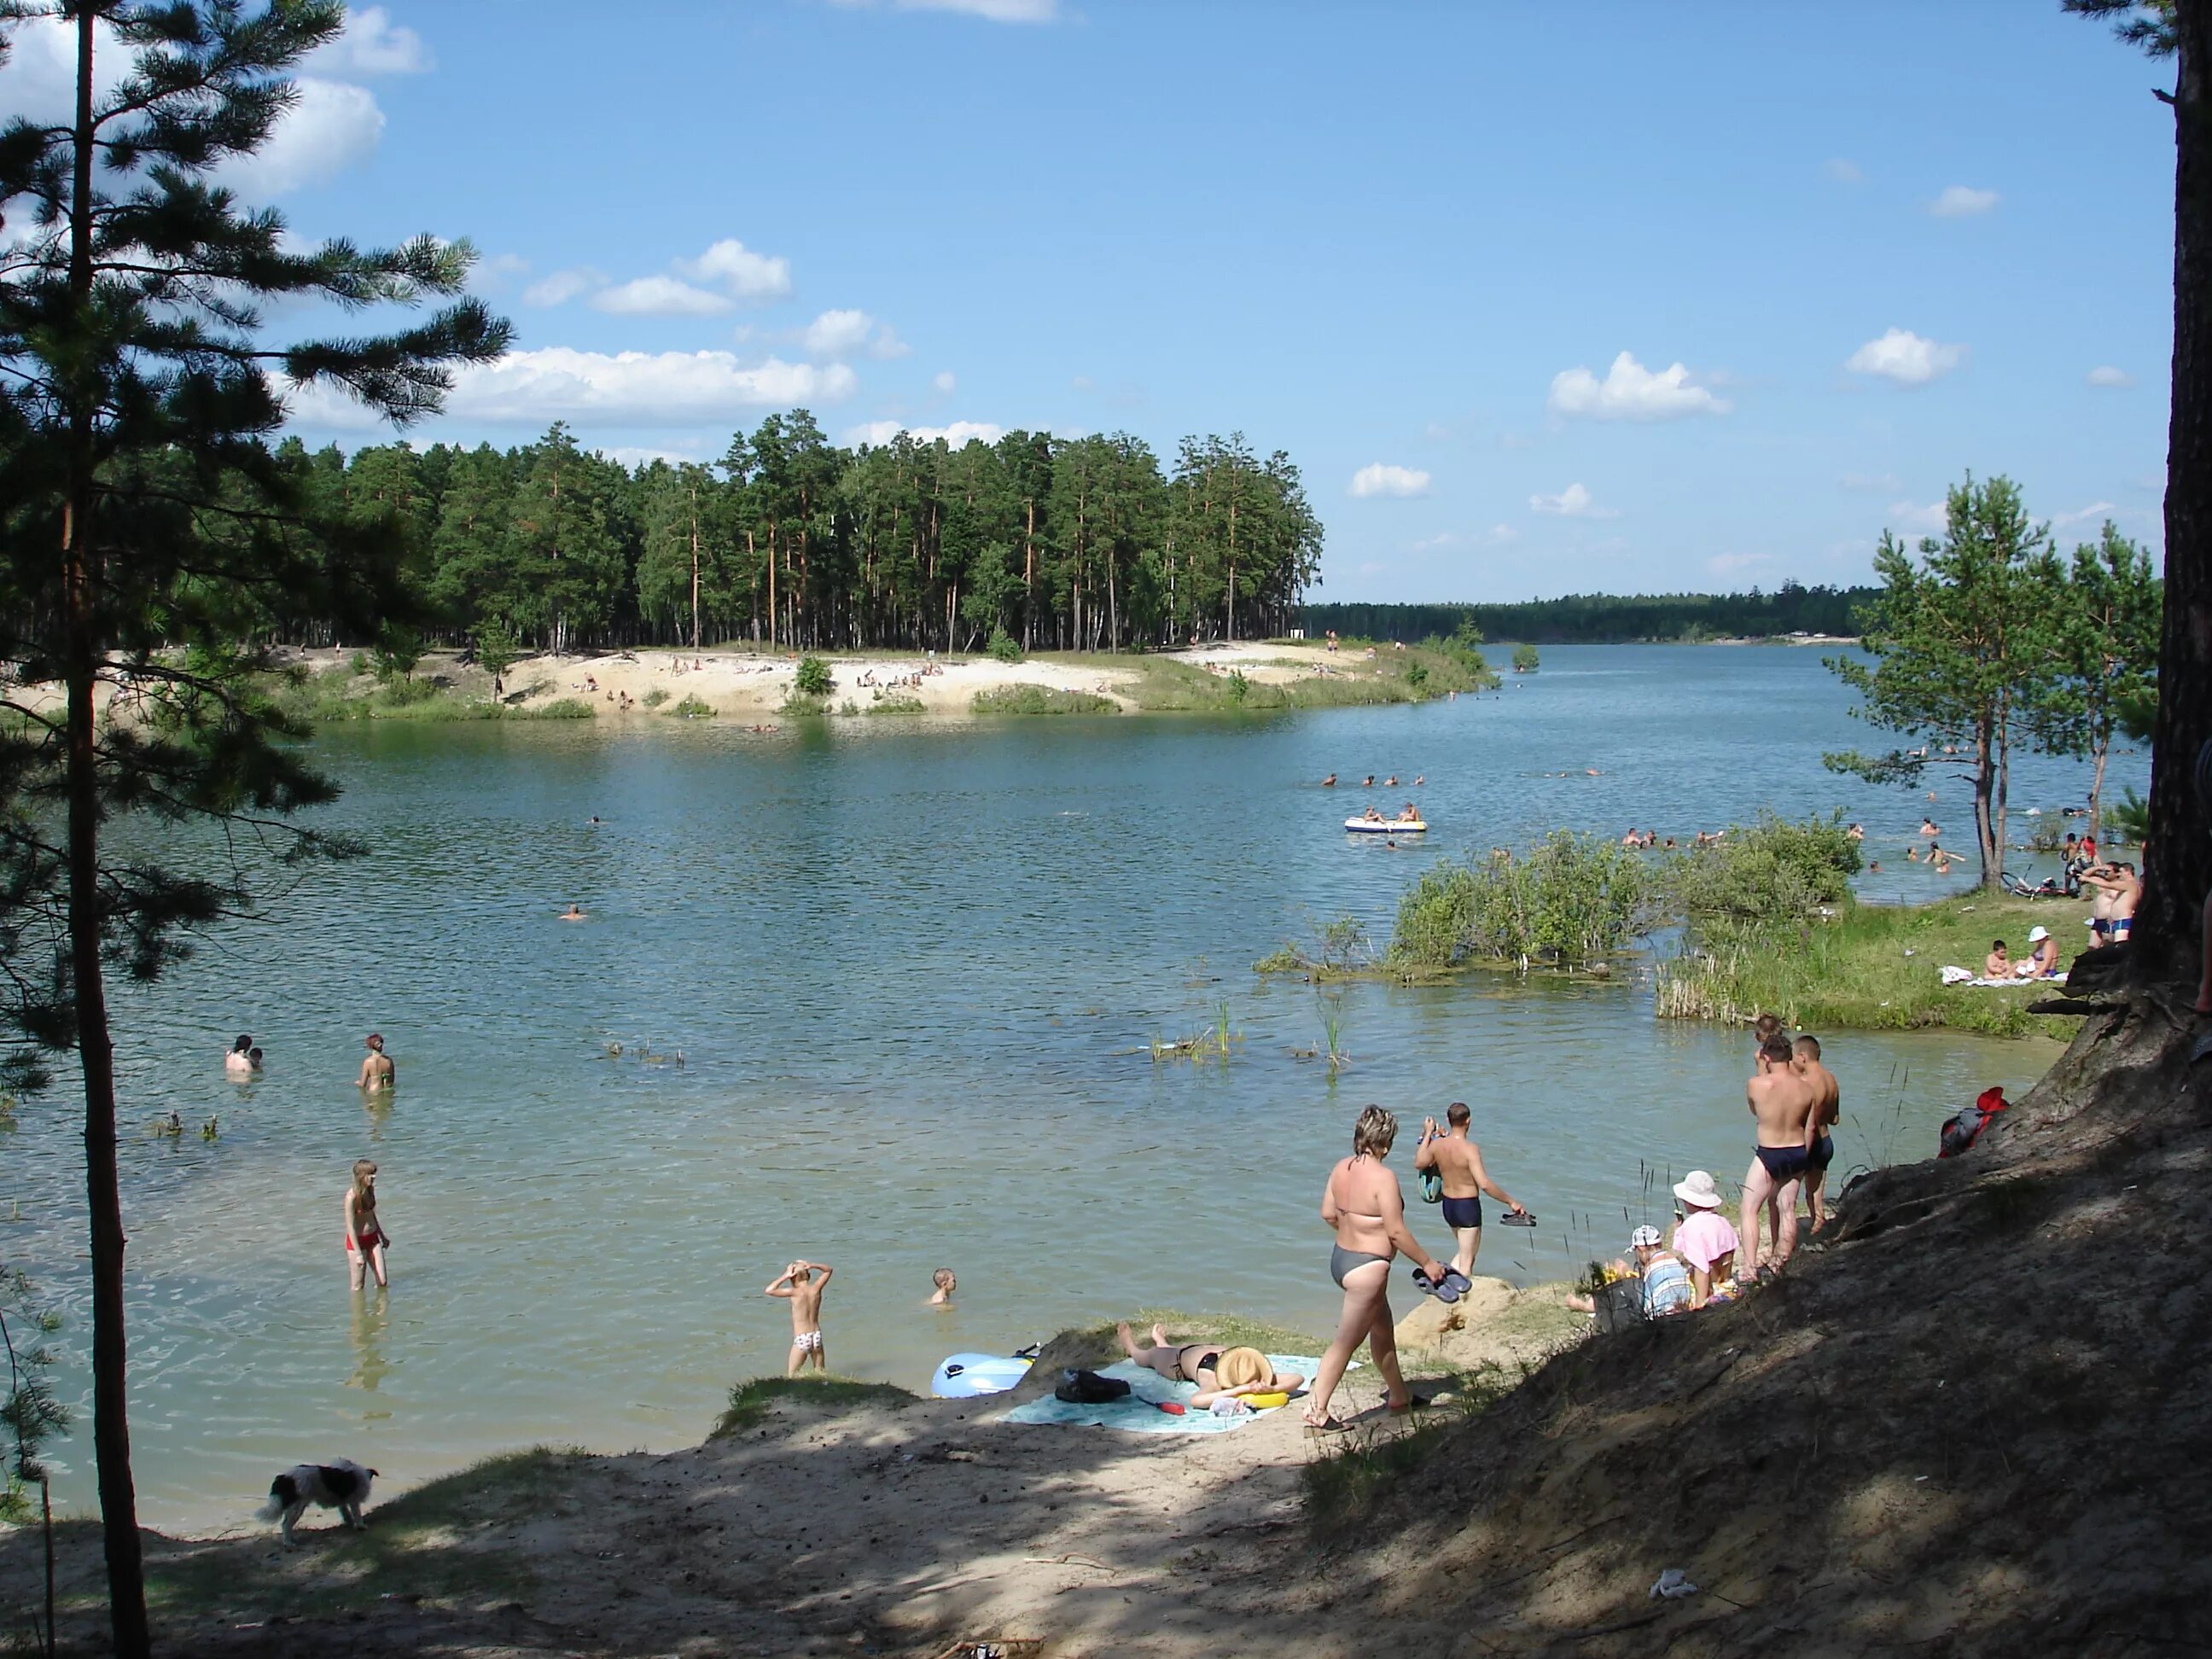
906 968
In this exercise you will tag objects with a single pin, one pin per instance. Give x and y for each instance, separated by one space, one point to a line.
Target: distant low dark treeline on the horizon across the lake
1607 618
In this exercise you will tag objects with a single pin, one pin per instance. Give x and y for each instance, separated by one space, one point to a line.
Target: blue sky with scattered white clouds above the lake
1446 255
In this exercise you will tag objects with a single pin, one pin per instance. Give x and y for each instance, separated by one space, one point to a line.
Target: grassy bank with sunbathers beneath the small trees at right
1877 968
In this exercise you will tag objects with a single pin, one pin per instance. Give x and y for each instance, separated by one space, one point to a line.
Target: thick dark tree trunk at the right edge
2180 855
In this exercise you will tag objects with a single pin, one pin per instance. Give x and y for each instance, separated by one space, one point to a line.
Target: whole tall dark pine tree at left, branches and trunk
149 530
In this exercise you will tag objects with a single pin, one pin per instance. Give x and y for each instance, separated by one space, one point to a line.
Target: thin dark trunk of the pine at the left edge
96 1052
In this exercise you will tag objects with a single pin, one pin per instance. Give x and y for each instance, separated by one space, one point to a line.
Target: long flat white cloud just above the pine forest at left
638 388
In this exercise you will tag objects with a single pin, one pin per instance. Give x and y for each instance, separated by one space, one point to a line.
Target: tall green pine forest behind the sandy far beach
1052 543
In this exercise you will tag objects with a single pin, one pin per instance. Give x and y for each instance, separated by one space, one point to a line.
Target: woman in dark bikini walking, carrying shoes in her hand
1368 1213
